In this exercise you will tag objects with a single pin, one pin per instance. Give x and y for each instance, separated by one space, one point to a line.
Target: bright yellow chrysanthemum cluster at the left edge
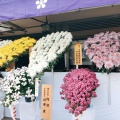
9 52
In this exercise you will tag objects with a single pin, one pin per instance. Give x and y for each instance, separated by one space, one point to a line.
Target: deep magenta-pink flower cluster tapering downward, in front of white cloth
78 88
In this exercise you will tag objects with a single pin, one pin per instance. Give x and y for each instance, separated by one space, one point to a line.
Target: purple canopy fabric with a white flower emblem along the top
17 9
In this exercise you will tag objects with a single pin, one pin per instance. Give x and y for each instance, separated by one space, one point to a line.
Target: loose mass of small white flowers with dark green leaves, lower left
17 83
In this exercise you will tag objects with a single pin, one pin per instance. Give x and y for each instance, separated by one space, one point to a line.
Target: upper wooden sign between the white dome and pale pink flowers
78 54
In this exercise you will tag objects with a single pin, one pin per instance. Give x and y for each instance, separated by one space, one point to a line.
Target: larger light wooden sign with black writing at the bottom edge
46 102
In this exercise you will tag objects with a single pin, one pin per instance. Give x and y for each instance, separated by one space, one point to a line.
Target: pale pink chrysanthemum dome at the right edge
104 50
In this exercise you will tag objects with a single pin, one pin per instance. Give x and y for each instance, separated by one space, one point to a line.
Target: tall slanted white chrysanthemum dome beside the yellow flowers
46 50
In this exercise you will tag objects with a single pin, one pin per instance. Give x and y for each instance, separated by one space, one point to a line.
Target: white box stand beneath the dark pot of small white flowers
29 110
